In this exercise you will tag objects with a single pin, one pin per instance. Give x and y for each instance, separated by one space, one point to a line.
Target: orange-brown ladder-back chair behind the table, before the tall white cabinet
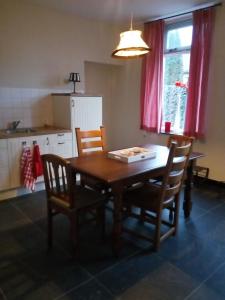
91 142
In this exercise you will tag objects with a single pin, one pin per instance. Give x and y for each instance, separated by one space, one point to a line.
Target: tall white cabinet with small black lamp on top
71 111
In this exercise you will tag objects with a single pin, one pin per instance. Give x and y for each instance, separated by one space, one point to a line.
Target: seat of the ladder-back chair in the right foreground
147 197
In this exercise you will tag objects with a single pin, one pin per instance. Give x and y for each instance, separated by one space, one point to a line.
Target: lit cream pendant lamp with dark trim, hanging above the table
131 44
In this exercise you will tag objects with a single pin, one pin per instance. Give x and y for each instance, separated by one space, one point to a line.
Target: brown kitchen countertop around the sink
31 131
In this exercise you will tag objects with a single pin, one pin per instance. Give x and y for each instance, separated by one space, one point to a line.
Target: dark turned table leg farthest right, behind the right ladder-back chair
187 205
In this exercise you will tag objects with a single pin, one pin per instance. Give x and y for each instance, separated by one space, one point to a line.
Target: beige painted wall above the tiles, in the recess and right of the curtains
39 47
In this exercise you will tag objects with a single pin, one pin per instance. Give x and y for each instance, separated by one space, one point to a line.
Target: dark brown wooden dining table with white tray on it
117 175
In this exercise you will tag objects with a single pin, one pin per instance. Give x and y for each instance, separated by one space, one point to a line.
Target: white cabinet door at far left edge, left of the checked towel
4 165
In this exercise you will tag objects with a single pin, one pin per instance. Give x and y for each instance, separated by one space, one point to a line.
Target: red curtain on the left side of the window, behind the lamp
152 78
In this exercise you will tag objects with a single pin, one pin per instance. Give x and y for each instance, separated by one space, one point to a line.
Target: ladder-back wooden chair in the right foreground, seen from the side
152 198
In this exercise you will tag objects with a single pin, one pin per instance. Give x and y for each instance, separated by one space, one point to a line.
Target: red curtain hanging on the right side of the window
198 73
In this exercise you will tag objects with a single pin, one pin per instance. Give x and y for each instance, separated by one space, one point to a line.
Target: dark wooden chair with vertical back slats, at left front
64 196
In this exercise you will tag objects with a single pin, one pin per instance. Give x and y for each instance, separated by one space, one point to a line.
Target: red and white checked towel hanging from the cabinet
26 166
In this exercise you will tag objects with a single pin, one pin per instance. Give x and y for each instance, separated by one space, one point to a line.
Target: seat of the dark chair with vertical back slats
85 198
